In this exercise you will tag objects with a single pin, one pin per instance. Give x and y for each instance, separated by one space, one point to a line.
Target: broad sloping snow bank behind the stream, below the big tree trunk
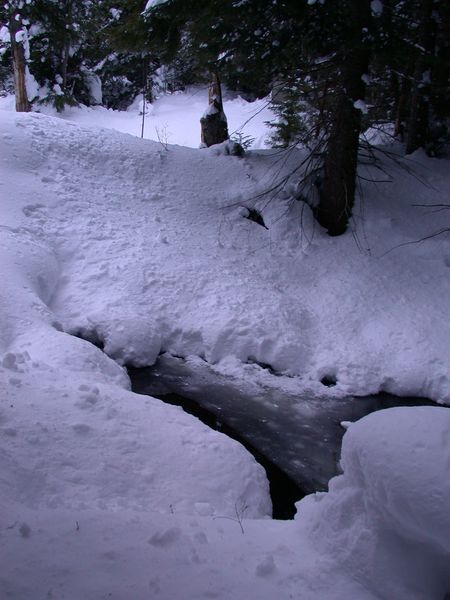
156 254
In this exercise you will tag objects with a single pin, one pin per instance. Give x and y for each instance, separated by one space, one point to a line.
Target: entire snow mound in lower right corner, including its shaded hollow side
387 518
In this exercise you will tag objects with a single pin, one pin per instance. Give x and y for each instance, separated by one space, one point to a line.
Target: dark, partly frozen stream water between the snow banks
296 438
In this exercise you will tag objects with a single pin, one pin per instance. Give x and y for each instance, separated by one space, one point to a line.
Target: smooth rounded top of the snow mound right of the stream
403 464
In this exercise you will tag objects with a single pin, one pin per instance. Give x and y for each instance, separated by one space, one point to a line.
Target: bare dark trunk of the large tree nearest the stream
337 190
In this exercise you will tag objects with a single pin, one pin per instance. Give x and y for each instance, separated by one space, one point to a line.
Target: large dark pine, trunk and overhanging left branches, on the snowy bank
284 37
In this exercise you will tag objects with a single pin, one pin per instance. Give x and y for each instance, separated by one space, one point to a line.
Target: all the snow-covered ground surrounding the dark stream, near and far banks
144 246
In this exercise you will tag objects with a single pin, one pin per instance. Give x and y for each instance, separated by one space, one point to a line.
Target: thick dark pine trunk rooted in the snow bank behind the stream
349 48
